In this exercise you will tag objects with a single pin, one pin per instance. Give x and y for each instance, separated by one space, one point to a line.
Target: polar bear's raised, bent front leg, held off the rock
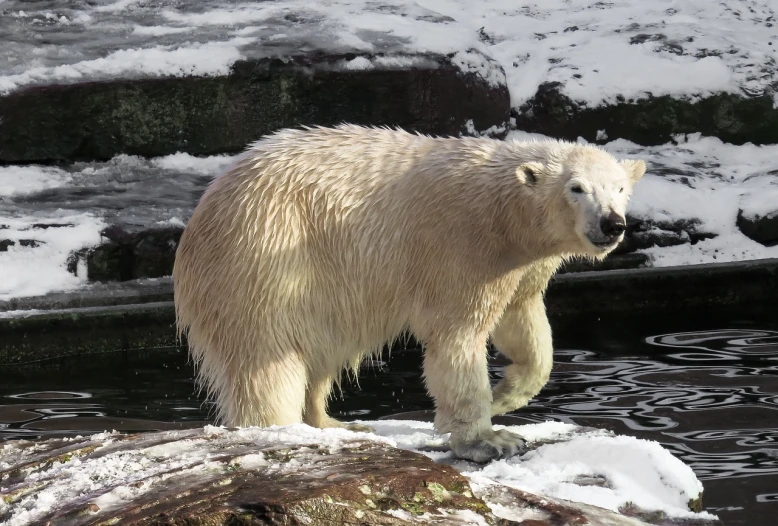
524 335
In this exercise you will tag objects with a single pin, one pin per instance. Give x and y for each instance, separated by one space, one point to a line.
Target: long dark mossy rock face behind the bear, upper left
207 115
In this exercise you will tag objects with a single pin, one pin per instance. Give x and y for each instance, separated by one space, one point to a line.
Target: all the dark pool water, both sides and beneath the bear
706 389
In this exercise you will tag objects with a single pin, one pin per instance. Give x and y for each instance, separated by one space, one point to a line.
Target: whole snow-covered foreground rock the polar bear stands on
402 475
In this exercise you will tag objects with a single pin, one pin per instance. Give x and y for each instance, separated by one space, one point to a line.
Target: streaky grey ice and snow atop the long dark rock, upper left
137 39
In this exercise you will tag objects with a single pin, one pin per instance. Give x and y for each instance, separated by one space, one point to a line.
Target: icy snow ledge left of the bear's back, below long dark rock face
86 197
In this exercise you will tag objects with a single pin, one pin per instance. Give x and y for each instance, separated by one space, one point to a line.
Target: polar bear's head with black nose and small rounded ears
584 193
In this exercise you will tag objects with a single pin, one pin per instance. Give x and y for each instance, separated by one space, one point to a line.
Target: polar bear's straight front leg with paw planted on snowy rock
458 380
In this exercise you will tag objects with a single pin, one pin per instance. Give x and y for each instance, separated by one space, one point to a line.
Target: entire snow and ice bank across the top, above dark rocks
597 50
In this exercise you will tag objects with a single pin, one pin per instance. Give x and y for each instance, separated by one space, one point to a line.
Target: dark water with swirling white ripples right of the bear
720 419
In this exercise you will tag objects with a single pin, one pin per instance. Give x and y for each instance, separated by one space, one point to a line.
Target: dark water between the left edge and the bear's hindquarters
131 392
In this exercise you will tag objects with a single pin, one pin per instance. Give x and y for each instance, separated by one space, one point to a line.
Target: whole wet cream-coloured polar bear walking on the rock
320 245
